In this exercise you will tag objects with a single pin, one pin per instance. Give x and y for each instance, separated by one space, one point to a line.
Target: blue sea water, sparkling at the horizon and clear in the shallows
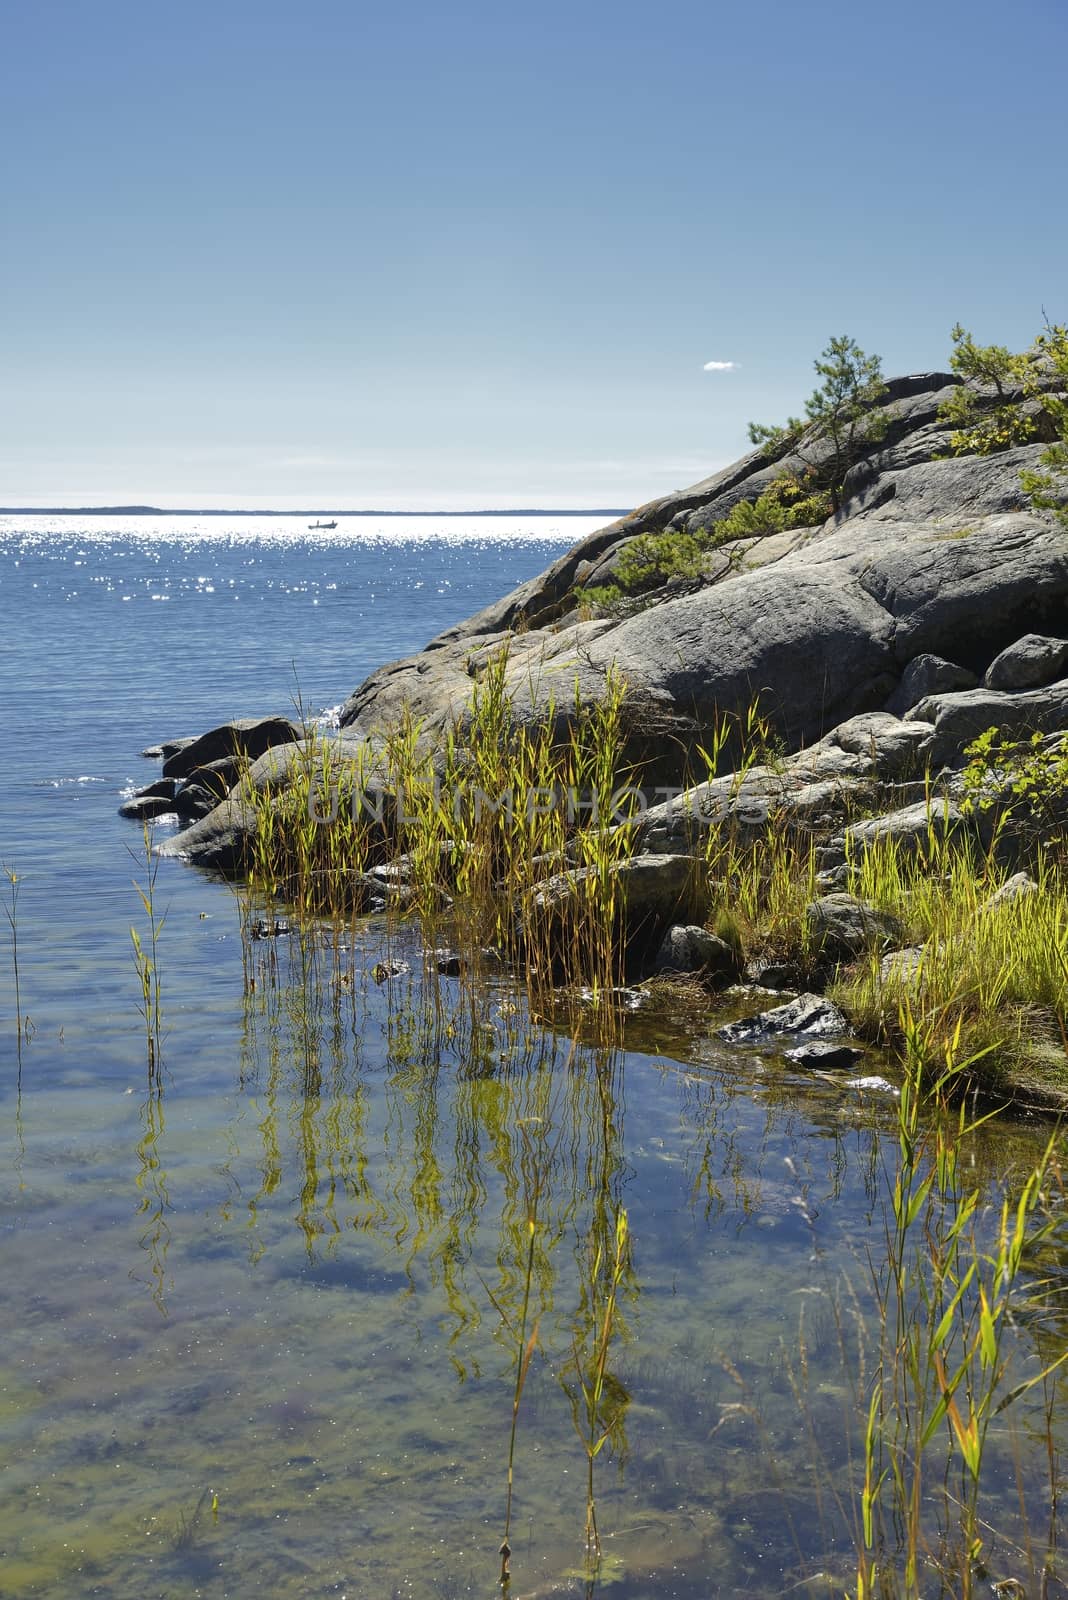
260 1311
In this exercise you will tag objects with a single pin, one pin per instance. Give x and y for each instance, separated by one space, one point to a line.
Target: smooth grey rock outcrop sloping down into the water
879 647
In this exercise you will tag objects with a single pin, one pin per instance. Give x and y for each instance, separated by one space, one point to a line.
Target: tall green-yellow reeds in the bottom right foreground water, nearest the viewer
949 1300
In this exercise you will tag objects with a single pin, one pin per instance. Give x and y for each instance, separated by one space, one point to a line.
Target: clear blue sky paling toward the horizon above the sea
480 254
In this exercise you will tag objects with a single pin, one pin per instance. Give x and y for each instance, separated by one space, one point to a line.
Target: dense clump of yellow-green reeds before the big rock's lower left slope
466 833
